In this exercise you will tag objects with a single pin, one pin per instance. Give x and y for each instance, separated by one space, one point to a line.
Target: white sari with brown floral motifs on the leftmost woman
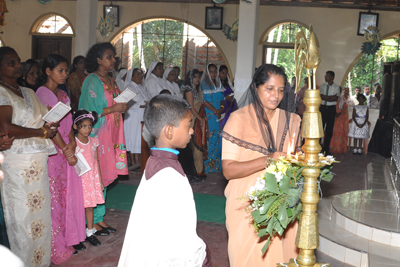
25 187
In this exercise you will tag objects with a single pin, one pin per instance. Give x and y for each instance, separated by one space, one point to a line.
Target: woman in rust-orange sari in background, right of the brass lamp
341 127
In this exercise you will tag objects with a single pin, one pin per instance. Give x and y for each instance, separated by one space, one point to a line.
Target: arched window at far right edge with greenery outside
368 70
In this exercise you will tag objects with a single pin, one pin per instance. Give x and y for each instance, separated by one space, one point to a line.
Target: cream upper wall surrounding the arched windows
335 28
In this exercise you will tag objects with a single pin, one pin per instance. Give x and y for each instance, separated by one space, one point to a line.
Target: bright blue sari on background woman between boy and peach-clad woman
214 96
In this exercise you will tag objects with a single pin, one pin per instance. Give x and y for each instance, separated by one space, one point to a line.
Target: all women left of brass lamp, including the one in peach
41 194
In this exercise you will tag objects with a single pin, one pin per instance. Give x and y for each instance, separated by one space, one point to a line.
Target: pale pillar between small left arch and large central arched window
86 24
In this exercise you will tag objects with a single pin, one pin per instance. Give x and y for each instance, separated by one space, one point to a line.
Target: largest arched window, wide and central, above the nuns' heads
172 42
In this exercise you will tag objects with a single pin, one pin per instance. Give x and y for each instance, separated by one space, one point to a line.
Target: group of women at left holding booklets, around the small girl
41 193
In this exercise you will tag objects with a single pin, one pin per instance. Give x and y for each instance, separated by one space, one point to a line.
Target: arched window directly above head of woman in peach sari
278 45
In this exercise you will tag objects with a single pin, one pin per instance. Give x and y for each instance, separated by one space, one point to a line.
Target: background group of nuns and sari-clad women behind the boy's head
209 94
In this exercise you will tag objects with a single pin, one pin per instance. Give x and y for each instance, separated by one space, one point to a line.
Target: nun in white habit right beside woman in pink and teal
134 115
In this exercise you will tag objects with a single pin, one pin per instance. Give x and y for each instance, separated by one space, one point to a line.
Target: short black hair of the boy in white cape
164 110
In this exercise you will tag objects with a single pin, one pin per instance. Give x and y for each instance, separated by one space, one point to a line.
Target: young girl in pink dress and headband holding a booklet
91 181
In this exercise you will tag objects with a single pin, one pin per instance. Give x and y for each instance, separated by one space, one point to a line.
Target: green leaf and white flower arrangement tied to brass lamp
274 201
